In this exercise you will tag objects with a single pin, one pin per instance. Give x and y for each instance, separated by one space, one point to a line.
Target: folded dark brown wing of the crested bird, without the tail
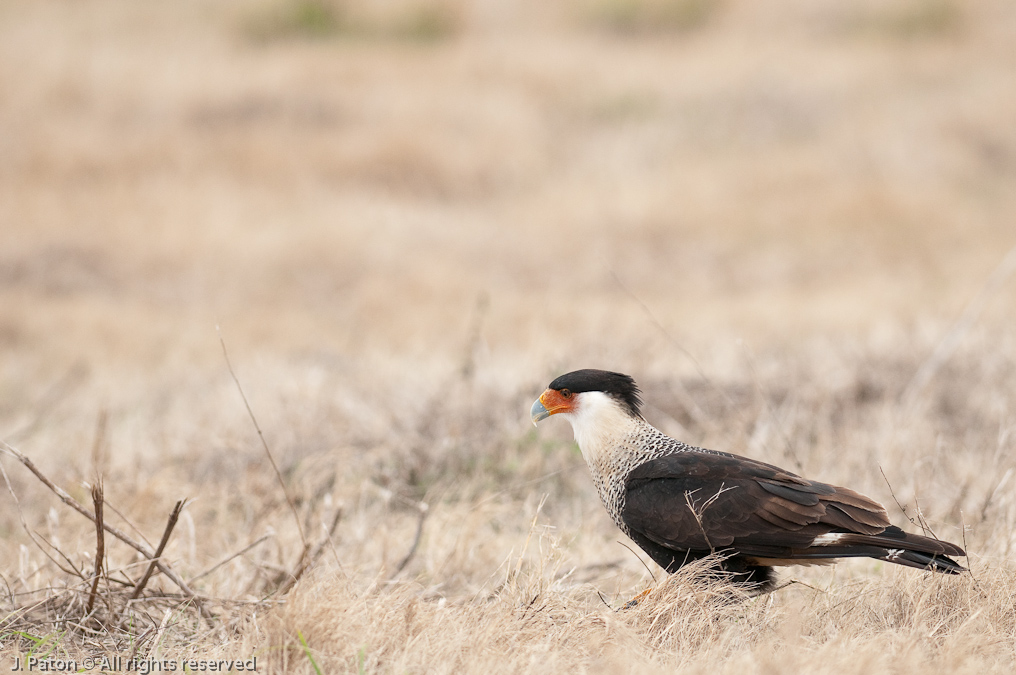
712 502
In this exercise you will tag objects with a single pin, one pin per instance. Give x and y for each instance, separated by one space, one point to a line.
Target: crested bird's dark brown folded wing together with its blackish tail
696 502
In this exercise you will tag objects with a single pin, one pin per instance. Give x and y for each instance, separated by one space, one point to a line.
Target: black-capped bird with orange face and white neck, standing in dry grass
681 504
